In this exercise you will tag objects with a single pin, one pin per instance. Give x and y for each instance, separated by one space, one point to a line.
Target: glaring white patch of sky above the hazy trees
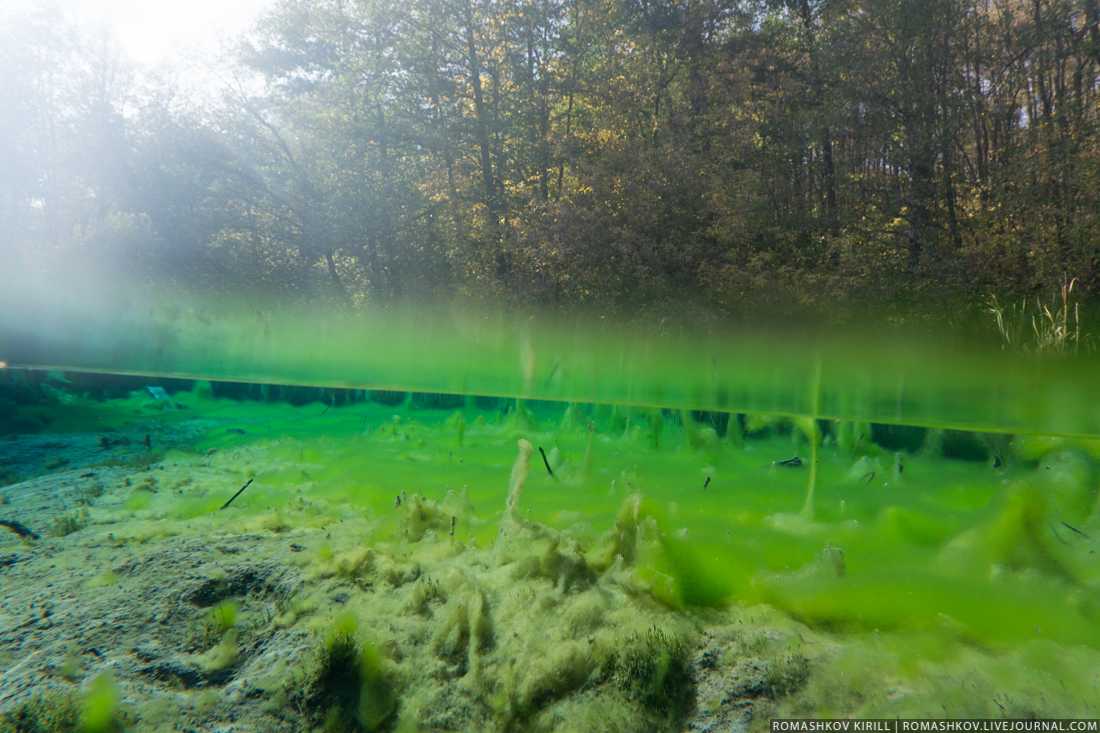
160 32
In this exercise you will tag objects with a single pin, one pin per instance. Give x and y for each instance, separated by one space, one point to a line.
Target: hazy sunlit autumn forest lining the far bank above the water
743 157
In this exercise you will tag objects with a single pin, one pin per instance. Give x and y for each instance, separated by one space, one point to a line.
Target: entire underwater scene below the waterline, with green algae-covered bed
188 555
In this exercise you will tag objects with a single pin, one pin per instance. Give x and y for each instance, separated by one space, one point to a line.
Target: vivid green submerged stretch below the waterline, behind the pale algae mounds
981 538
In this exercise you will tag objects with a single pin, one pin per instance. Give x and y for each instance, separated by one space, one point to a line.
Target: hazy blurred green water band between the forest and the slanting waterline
879 373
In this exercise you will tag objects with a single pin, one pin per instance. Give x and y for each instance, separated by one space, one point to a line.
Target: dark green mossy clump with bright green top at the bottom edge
348 686
